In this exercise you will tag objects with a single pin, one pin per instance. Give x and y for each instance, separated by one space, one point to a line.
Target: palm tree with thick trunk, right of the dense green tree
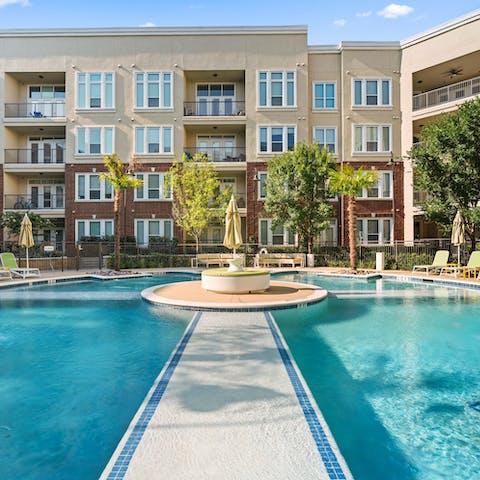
349 182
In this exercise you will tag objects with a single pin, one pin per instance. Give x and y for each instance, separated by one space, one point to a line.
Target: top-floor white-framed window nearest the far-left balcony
95 90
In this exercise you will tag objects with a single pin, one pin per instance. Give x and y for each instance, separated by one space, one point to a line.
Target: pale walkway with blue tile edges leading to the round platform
229 404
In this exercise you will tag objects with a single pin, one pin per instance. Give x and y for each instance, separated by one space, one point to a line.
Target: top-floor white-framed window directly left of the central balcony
153 90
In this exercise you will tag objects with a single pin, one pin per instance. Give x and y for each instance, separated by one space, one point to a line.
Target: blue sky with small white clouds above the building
328 22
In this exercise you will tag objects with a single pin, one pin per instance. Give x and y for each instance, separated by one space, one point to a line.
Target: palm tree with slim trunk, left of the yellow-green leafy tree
119 175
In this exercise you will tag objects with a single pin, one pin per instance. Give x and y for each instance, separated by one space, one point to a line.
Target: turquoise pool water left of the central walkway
76 361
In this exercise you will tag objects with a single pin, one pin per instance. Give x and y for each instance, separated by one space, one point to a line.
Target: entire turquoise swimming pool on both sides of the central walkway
393 367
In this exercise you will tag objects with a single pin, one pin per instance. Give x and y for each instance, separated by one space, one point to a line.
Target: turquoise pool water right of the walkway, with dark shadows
395 376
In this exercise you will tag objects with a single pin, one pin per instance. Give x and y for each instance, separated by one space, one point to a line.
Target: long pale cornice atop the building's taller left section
155 31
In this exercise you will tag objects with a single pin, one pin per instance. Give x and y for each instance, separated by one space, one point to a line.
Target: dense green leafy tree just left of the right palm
296 194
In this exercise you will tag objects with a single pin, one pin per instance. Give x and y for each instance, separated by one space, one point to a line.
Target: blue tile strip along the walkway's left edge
122 462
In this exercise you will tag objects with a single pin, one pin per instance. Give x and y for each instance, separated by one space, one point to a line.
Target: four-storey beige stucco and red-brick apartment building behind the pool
241 95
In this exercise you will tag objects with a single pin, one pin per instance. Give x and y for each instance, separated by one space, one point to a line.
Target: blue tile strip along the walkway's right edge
329 459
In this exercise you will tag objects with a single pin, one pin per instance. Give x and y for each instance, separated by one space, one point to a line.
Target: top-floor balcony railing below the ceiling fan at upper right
450 93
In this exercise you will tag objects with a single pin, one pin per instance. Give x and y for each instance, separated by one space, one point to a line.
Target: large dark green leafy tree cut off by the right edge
447 167
